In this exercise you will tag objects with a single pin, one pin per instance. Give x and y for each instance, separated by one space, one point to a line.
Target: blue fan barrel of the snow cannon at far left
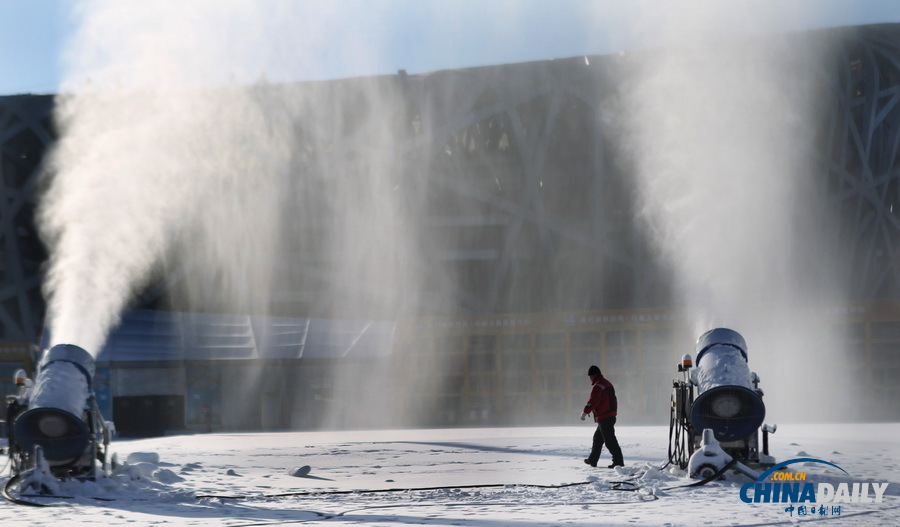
55 416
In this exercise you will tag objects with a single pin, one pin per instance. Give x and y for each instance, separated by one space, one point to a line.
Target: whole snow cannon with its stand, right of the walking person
718 393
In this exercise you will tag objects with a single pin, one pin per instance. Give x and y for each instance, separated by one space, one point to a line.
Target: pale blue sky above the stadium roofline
428 35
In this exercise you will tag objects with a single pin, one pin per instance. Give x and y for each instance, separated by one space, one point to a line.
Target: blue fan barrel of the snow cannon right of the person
727 402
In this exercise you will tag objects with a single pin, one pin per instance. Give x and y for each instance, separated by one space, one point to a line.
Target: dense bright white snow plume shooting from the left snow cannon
154 147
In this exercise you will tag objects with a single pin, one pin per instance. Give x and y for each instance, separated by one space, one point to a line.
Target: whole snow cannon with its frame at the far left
56 421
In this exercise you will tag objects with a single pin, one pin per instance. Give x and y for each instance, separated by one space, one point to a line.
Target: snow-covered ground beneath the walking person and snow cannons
487 478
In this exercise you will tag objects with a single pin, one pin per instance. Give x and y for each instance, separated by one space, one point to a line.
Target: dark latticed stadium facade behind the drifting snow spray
526 219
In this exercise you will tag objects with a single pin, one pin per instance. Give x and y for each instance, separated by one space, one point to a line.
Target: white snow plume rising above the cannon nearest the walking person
721 134
